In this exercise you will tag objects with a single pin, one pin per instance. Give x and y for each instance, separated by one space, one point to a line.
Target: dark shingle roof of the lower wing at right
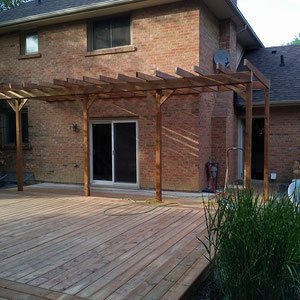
285 79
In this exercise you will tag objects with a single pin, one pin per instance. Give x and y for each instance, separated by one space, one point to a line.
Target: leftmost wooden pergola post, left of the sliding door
19 142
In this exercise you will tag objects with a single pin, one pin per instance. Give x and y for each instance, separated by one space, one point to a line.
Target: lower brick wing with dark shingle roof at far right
281 65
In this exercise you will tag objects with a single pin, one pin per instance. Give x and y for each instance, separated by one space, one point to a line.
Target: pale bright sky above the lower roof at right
276 22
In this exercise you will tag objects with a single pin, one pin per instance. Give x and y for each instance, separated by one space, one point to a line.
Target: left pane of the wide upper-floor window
101 35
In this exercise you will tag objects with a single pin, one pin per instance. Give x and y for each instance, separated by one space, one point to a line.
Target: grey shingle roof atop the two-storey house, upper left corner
33 8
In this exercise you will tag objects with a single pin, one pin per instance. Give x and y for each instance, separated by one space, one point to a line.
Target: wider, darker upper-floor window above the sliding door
109 33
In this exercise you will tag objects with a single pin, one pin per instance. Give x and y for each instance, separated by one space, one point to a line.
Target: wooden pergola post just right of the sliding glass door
158 165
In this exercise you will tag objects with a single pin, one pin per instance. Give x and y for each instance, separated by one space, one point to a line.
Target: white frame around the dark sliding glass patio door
112 183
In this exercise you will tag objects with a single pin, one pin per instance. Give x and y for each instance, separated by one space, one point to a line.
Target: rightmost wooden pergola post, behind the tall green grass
266 142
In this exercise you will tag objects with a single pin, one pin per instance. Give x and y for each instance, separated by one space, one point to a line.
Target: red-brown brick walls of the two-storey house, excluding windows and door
194 127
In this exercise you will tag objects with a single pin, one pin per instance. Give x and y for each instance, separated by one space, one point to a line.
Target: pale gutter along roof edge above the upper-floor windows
68 11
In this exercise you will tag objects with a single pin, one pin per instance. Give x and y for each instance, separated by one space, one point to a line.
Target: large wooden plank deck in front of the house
70 247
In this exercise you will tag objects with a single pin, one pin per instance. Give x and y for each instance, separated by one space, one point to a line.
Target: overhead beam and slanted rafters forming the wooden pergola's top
73 87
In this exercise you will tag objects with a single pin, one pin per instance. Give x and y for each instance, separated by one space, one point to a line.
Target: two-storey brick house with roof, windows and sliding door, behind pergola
42 40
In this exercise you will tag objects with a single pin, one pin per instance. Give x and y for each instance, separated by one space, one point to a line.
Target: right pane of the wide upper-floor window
120 32
